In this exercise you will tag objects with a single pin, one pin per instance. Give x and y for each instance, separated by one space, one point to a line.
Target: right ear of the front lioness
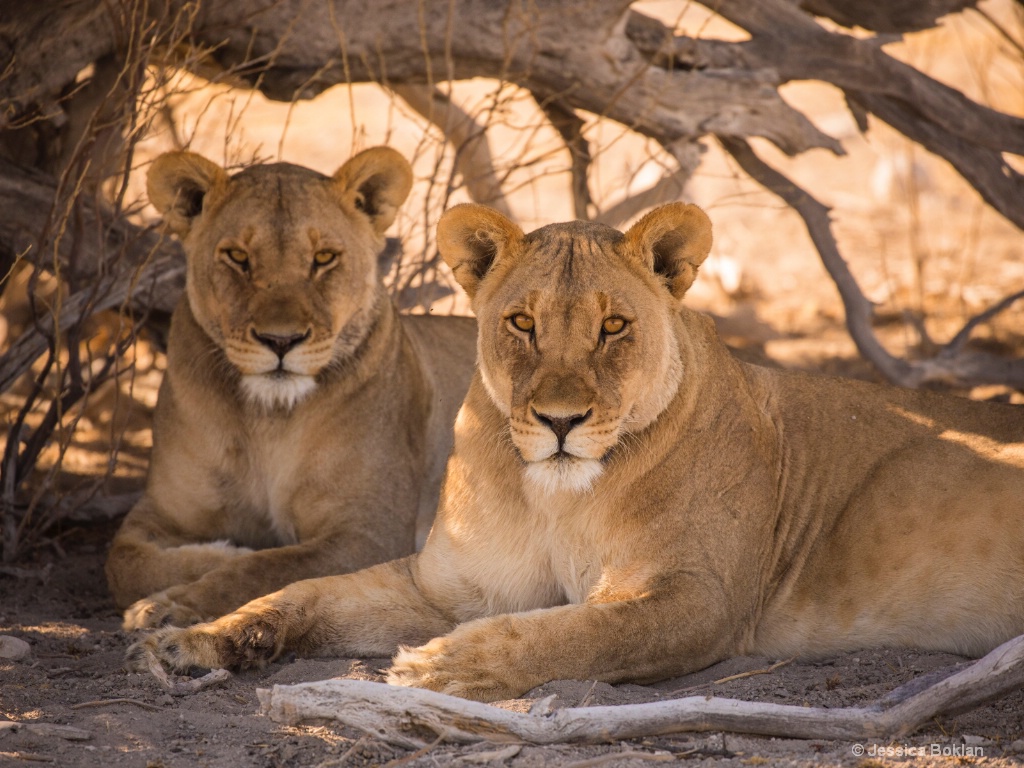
673 241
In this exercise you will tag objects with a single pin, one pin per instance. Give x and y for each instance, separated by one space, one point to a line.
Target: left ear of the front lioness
471 238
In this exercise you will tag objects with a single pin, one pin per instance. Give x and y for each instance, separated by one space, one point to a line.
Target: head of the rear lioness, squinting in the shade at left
282 261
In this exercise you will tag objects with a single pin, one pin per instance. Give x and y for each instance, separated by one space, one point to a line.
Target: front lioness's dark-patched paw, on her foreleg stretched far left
238 641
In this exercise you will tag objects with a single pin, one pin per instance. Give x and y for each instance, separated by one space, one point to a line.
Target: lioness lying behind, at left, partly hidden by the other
303 424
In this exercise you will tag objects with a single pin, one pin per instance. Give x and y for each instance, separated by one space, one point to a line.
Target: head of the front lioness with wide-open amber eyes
577 322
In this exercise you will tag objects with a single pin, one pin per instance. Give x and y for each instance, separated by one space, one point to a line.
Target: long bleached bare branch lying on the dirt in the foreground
401 716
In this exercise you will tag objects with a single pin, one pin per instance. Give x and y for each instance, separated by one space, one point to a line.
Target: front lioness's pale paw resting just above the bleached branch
447 666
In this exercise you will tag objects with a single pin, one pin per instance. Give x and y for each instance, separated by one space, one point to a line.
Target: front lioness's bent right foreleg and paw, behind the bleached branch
503 657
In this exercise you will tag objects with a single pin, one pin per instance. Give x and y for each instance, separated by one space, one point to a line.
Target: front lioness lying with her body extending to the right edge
626 501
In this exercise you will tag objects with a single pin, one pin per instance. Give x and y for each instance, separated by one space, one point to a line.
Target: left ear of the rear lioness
178 184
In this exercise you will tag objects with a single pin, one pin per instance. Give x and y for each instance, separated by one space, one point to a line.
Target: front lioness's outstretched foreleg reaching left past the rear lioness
370 613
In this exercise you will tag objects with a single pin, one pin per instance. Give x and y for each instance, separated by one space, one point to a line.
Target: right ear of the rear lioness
376 183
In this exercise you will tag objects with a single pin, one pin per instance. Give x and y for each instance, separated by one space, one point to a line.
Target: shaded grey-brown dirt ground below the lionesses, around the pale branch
69 703
